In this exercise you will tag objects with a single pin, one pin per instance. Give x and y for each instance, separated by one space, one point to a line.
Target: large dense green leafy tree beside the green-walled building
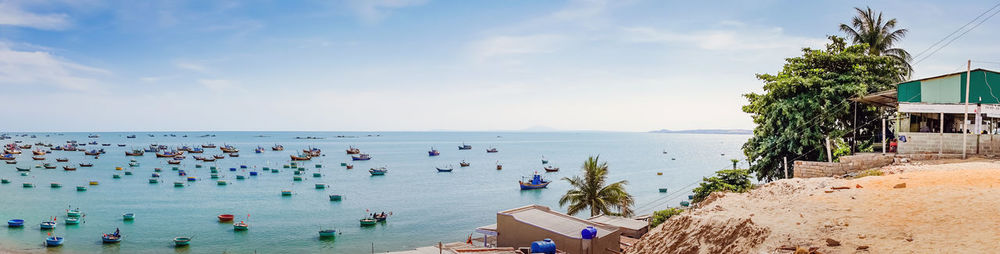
809 100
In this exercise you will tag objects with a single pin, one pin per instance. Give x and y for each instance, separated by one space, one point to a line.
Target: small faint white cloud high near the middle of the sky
498 46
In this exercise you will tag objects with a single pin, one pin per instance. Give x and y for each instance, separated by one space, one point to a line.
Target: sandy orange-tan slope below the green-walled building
945 207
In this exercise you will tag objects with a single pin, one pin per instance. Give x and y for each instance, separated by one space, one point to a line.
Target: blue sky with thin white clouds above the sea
419 65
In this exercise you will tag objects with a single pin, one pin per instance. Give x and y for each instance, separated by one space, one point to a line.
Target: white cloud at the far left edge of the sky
42 68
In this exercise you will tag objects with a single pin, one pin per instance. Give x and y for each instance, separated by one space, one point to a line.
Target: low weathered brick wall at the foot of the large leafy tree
847 164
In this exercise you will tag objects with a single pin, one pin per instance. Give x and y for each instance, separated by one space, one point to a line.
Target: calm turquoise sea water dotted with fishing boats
427 206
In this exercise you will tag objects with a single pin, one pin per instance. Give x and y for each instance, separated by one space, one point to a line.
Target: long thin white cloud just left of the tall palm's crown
735 39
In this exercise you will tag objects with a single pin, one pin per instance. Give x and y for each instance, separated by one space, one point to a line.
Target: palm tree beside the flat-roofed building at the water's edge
590 192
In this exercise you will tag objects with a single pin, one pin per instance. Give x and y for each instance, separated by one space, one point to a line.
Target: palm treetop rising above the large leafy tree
880 35
